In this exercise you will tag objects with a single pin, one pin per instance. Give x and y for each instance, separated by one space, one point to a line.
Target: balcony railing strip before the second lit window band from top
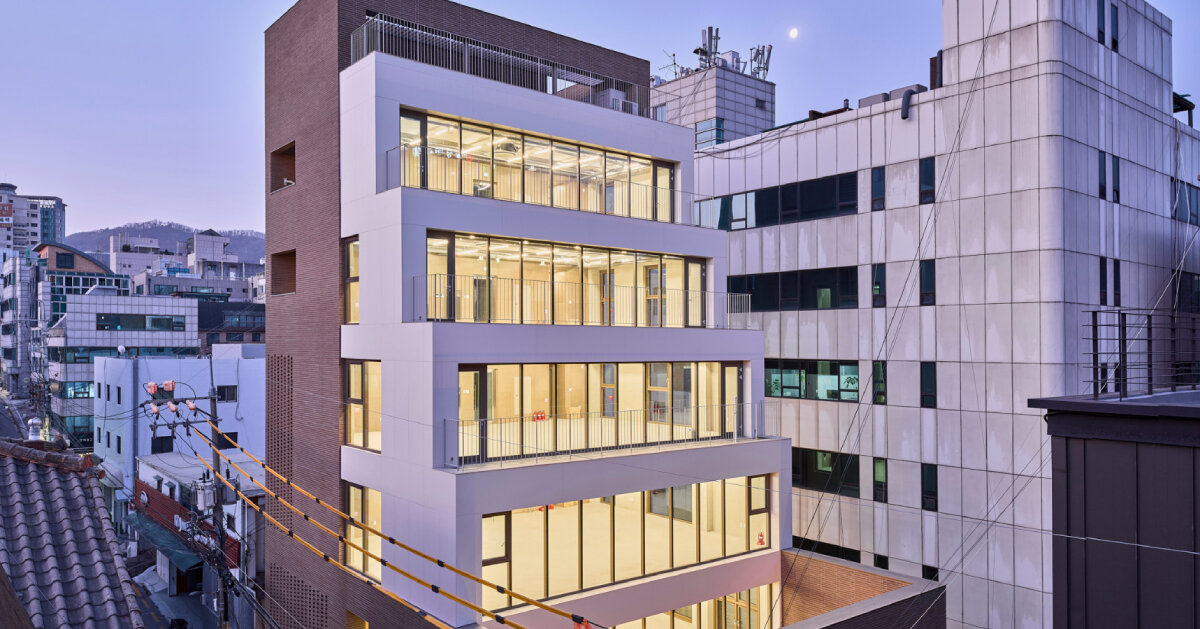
479 299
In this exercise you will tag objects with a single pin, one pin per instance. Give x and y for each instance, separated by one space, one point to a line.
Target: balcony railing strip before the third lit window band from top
539 435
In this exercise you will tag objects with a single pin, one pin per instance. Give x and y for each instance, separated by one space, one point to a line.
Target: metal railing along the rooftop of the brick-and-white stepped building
435 47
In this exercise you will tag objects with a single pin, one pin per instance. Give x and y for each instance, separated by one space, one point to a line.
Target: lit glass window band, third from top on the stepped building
533 410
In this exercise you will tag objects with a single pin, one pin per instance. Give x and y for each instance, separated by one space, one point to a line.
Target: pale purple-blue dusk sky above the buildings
145 110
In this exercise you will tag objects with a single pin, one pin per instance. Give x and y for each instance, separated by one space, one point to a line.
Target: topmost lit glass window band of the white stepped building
471 159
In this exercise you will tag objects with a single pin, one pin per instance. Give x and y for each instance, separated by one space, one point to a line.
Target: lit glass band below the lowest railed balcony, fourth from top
628 536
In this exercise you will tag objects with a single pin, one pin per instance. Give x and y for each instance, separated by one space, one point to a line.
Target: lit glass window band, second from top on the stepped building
496 280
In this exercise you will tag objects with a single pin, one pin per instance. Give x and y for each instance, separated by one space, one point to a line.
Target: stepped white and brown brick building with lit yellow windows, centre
515 290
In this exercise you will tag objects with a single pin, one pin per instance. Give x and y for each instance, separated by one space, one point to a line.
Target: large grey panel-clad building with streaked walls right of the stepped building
920 269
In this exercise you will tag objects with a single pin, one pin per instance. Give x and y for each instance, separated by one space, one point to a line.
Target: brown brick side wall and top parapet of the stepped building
307 49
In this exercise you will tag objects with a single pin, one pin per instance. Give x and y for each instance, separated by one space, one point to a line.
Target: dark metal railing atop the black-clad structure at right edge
1141 352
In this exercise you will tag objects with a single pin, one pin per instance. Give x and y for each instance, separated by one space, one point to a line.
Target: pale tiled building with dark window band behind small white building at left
104 324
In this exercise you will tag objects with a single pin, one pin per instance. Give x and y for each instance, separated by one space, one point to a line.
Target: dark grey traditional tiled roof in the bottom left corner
57 543
